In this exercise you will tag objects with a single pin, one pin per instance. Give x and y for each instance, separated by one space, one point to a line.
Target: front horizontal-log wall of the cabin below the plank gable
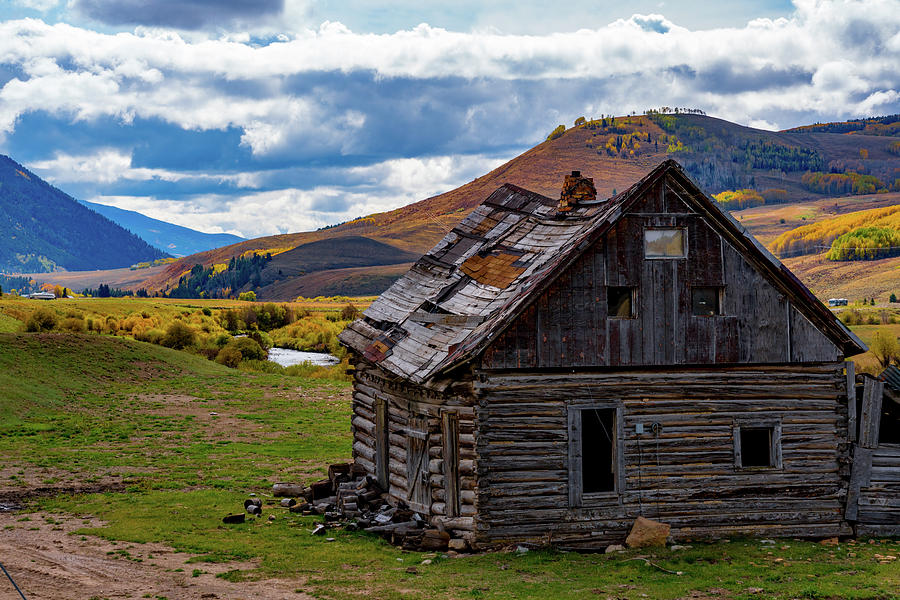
686 476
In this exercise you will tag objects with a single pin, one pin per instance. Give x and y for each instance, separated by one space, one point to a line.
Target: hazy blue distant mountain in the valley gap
173 239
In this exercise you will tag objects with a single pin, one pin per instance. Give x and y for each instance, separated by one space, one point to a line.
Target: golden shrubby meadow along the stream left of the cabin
202 327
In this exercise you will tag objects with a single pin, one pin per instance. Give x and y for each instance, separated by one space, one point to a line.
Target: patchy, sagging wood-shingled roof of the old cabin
463 293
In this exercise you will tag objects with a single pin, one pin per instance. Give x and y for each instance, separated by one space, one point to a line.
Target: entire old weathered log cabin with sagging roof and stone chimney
553 369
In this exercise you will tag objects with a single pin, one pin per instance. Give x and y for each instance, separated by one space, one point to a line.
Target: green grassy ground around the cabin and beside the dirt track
160 445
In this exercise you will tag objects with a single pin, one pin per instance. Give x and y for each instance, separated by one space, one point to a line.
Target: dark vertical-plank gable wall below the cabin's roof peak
567 325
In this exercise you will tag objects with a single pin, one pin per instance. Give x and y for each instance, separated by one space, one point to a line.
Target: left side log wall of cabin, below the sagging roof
413 415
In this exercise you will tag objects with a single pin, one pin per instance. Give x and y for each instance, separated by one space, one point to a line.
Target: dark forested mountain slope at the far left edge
44 229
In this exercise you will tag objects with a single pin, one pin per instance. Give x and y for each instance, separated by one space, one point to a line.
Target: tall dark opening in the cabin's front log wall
598 454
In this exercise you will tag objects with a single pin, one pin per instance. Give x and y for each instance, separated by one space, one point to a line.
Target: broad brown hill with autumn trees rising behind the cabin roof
617 152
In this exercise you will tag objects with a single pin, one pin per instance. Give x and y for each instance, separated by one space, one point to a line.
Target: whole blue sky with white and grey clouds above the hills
270 116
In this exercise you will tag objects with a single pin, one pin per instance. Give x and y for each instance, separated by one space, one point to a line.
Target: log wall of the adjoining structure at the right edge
879 496
